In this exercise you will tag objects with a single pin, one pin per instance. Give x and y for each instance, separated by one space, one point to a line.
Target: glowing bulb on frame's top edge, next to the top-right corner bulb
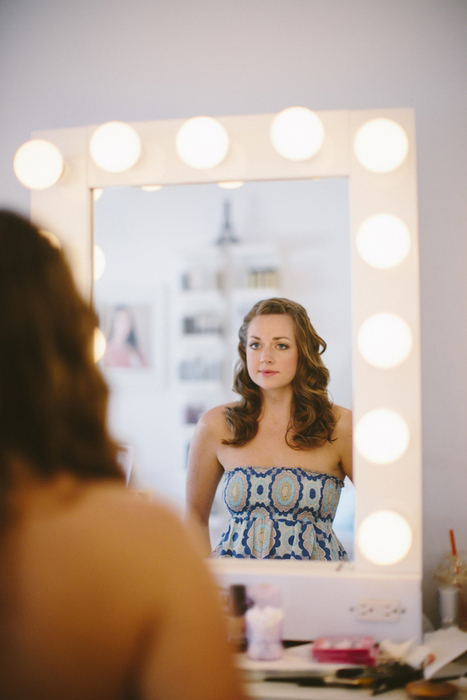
297 133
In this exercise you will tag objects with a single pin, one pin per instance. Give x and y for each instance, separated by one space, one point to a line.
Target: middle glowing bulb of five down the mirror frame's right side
384 340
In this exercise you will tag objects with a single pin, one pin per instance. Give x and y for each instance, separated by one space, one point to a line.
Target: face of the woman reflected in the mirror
271 351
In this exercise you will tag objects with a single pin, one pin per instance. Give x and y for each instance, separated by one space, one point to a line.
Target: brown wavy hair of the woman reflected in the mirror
312 419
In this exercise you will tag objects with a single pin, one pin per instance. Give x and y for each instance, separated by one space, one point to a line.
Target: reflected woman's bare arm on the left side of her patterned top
204 472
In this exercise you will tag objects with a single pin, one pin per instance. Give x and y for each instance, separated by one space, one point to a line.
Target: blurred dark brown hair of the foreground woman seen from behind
53 398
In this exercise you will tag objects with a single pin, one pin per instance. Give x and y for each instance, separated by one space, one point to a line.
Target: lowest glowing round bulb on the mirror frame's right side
384 537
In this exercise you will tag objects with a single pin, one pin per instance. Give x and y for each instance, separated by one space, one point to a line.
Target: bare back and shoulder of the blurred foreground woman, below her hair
124 568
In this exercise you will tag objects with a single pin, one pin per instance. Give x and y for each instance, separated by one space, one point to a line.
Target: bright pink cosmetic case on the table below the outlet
345 649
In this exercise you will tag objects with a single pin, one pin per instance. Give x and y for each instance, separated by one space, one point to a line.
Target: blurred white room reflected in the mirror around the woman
171 300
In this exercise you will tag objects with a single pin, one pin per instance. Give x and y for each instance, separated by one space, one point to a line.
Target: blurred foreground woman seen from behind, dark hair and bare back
103 596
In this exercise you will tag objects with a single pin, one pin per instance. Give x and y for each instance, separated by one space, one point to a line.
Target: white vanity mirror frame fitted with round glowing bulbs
385 330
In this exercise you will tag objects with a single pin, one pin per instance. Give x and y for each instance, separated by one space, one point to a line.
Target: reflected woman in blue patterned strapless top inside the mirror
284 447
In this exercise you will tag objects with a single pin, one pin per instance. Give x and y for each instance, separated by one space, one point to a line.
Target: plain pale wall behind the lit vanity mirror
74 63
